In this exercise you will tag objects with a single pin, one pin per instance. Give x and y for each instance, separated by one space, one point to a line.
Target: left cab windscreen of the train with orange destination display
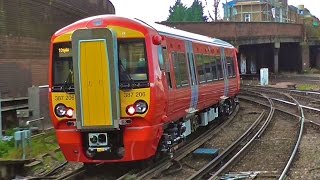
62 67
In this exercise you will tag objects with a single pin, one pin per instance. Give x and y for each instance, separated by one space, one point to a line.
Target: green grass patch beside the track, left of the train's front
39 145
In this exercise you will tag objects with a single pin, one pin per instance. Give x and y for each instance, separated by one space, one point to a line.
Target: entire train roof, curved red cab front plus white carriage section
162 29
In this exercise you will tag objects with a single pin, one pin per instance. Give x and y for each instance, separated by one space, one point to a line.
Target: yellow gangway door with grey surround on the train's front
96 79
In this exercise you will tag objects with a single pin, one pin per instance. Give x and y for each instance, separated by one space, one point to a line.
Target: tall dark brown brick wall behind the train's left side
26 27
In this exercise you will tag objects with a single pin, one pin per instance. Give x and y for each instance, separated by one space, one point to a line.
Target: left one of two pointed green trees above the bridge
177 12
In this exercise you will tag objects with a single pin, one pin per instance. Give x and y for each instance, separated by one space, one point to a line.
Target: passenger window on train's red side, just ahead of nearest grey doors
180 69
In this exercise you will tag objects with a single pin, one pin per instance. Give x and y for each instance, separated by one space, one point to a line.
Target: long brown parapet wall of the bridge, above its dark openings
244 32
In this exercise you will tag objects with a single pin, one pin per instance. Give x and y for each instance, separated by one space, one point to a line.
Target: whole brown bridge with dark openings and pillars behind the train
277 46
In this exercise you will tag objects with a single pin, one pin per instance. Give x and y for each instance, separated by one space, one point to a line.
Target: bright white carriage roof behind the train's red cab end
162 29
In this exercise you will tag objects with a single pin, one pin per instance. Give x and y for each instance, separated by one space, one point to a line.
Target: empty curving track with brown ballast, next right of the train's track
261 159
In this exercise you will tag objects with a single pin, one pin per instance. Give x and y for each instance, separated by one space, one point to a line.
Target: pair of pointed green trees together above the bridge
180 13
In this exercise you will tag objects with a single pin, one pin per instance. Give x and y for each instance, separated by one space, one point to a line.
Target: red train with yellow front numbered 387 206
124 90
